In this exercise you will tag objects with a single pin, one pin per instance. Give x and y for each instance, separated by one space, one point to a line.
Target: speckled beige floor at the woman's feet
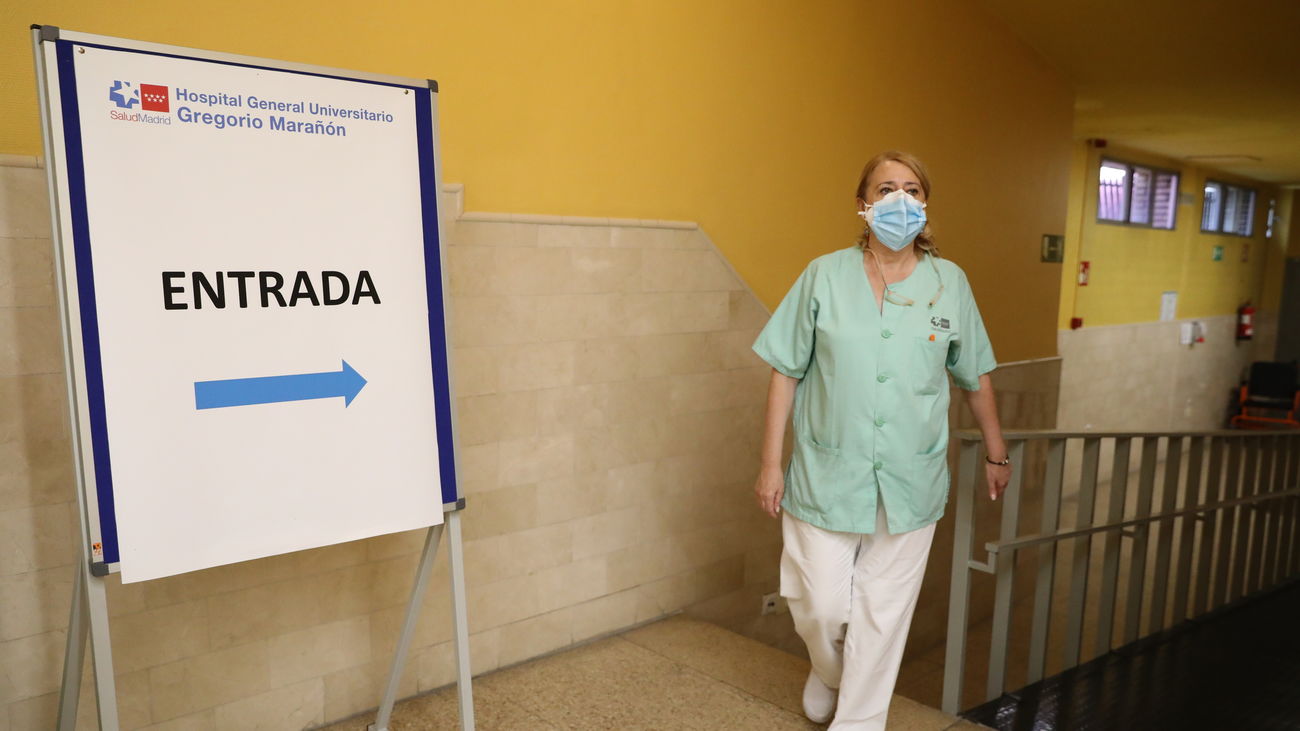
678 673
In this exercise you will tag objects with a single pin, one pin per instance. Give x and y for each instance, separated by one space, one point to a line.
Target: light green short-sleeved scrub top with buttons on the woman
872 404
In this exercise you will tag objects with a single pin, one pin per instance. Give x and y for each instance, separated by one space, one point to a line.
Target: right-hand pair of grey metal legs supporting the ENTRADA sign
460 618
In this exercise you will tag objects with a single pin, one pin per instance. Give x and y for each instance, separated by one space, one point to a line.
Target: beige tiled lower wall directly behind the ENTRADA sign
609 418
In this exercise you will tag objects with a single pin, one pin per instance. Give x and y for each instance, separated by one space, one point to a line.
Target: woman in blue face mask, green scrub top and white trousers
860 349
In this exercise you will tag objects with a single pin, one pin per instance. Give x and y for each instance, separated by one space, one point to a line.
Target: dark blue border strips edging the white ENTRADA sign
439 345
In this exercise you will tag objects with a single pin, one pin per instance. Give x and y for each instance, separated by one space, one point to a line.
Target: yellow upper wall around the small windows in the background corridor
1132 266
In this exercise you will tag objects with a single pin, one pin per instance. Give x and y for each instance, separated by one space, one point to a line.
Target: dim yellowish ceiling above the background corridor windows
1215 84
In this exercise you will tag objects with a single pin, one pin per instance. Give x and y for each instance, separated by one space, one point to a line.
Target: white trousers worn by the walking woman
852 598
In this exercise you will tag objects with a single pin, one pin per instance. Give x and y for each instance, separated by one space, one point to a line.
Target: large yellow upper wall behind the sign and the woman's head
753 119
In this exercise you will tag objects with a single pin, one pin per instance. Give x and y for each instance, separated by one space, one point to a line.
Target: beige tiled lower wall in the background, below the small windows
1138 378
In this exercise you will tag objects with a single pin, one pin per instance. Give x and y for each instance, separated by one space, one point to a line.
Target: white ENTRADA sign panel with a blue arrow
259 258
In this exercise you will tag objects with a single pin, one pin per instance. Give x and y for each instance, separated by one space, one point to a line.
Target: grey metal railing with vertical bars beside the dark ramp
1234 514
